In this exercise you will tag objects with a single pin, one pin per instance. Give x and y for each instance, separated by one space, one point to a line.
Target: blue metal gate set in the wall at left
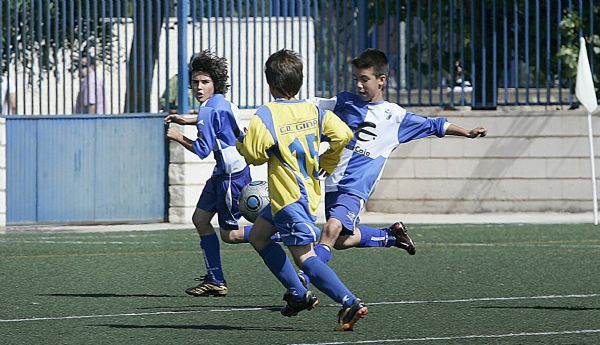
84 169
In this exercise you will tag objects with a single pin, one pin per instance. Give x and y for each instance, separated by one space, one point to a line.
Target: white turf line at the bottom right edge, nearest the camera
463 337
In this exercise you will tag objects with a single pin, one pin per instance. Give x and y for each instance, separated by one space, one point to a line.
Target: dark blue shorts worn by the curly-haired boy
220 195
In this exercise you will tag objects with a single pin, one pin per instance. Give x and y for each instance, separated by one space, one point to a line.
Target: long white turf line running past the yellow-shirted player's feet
469 300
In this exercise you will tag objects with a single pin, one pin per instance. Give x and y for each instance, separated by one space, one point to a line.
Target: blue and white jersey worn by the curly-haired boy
218 126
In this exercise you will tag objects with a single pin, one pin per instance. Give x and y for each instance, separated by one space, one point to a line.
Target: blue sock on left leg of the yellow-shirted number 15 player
280 265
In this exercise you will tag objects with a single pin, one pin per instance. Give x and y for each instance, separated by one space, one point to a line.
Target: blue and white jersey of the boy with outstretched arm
379 127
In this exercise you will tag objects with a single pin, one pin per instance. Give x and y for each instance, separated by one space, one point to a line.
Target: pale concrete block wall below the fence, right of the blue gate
531 161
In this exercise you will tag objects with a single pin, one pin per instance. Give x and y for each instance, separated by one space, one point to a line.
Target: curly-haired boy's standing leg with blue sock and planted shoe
213 283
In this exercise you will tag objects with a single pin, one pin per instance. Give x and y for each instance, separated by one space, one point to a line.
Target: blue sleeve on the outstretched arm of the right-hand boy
414 127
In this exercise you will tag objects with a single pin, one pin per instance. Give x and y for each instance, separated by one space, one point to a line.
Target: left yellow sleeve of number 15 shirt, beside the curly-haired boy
254 145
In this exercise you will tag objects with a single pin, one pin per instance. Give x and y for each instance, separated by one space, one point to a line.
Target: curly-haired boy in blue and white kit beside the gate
218 124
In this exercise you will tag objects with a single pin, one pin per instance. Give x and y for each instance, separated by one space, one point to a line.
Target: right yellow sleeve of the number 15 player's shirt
338 134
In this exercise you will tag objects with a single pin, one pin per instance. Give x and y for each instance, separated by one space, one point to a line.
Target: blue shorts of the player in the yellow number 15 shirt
295 227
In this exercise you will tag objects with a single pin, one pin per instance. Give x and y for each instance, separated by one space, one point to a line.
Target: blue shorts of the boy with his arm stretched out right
345 208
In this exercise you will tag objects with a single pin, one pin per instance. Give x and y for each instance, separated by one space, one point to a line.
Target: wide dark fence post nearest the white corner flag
484 73
